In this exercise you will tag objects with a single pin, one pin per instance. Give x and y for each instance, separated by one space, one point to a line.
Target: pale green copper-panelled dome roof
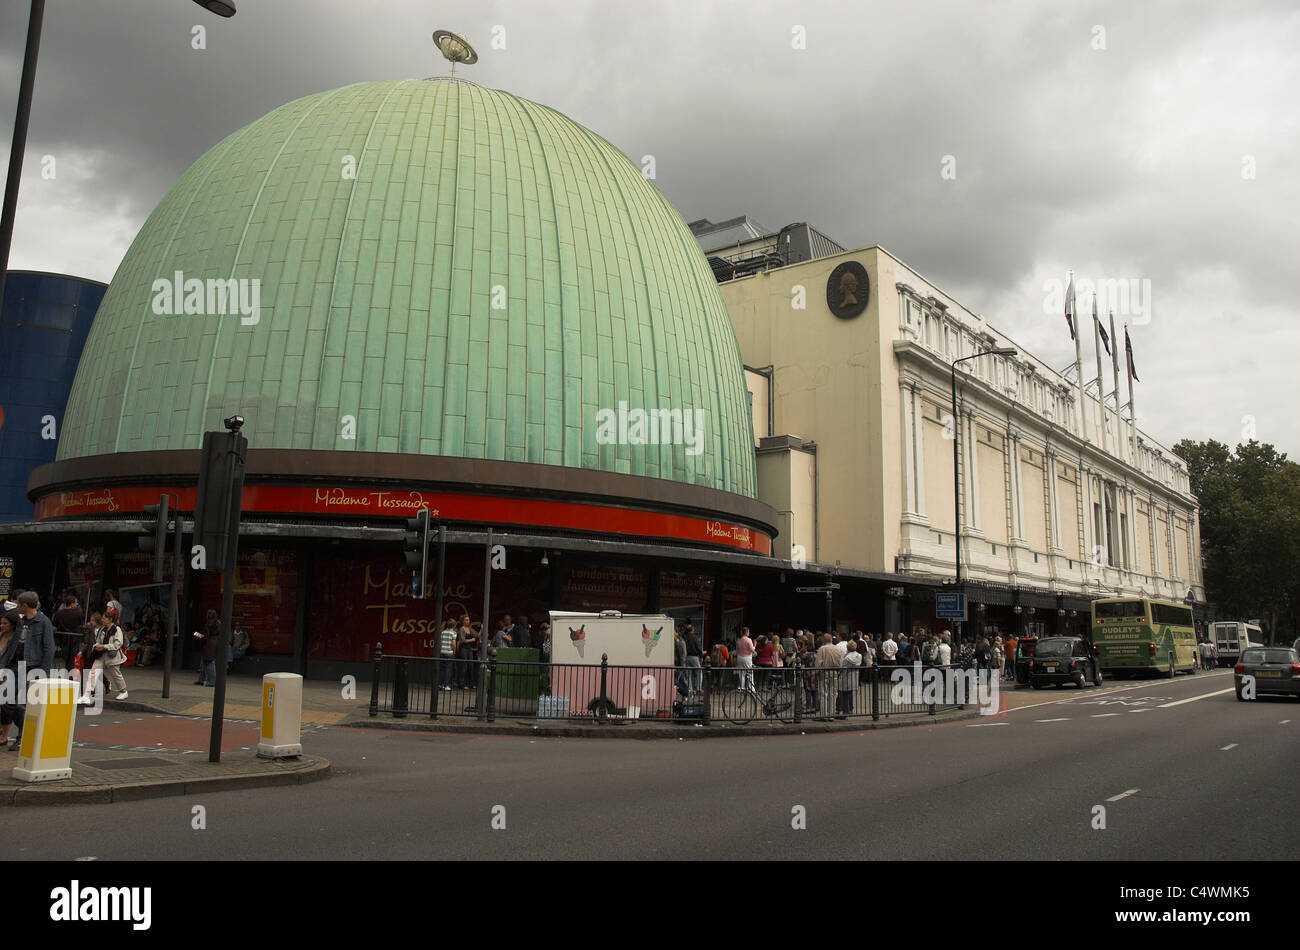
463 272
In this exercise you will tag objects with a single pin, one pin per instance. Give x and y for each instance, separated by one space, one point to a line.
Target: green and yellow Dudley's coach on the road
1134 635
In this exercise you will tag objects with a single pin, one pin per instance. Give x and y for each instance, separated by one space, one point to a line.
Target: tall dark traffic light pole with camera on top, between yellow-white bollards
216 536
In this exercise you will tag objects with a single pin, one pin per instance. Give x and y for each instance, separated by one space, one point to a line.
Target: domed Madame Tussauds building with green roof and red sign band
418 294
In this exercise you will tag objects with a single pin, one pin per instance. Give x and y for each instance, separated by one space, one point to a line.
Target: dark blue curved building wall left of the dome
44 326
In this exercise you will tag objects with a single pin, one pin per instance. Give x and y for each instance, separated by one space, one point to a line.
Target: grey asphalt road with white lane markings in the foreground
1182 769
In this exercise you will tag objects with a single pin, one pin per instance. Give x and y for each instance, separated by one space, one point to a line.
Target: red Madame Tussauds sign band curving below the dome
305 500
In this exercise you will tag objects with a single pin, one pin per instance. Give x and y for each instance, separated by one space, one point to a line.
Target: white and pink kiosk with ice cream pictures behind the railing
639 647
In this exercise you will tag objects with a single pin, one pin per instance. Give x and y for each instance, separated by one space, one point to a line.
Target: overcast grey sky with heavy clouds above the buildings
1154 142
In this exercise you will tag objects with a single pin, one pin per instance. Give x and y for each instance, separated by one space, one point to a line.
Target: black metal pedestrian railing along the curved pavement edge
436 687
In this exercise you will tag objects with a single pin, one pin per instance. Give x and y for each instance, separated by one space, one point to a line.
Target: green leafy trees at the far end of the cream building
1250 502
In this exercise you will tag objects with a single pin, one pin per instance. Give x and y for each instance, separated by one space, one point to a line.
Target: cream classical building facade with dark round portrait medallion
1045 505
